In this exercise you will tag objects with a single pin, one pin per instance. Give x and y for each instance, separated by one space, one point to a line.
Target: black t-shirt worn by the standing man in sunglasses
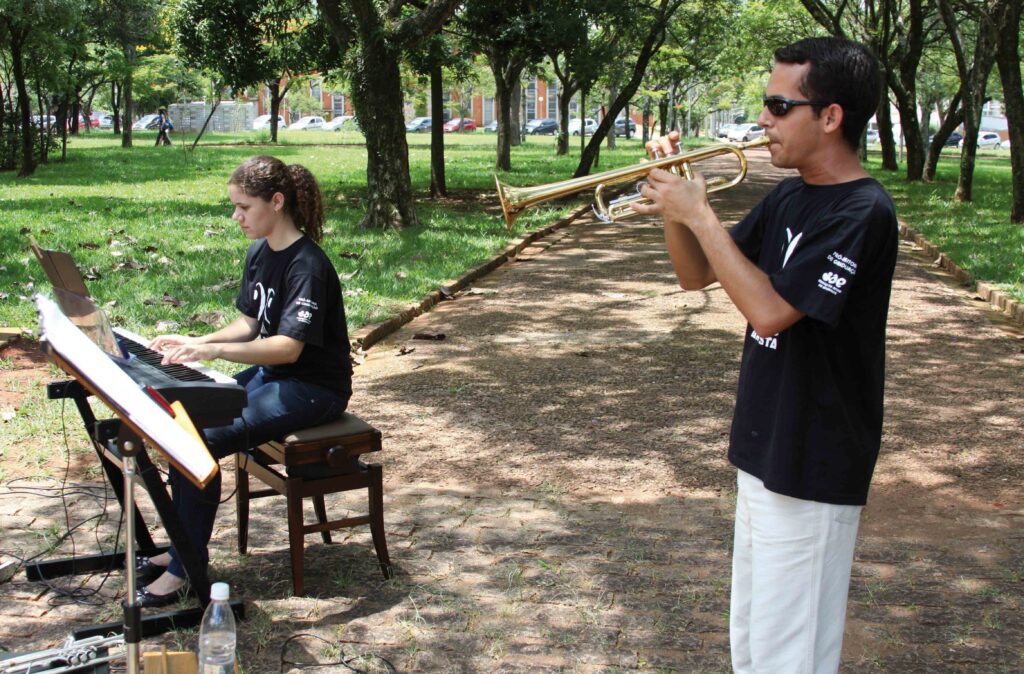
808 419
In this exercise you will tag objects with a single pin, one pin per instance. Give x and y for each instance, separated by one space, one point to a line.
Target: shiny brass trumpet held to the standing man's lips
517 200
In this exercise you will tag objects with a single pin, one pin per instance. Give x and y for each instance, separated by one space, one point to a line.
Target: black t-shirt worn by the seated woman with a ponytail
295 292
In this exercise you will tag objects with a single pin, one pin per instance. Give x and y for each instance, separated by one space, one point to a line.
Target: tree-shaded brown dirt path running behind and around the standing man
559 498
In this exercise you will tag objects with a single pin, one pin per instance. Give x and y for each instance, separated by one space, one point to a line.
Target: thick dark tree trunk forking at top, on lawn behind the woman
378 37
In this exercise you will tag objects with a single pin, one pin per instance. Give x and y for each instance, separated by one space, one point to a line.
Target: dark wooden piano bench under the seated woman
314 464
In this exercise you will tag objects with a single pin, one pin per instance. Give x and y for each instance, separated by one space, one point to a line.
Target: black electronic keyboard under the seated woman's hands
210 403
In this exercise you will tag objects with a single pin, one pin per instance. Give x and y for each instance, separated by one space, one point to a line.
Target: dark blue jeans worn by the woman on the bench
275 409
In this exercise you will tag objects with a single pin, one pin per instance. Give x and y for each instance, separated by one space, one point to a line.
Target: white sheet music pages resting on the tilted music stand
166 436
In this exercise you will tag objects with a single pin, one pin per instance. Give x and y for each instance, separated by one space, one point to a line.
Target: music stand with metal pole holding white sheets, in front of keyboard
143 420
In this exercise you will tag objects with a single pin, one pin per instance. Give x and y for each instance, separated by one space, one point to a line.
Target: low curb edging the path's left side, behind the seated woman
369 335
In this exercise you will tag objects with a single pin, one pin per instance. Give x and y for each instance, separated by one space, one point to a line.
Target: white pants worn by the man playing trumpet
791 576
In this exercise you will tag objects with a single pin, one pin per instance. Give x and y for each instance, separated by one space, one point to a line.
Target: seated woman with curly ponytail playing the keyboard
291 329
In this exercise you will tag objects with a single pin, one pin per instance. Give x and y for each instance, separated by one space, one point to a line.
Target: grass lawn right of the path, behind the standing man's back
977 236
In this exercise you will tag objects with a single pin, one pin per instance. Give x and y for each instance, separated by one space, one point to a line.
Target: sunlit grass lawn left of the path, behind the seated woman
151 227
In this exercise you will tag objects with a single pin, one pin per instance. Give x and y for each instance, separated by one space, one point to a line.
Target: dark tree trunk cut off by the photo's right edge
1008 59
